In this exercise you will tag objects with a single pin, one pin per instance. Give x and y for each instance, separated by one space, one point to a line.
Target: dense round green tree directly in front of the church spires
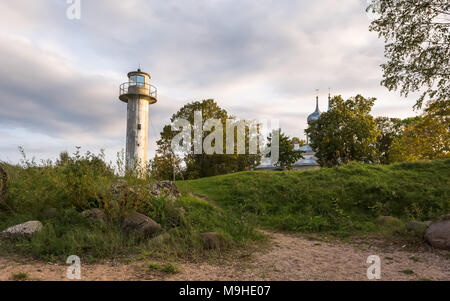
347 132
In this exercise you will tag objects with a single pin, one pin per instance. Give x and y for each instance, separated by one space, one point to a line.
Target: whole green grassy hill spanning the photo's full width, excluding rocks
341 201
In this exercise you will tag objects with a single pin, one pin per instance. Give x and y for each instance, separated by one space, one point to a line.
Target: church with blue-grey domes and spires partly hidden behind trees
309 160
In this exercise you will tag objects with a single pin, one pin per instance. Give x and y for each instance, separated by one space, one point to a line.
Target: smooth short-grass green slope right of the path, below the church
340 200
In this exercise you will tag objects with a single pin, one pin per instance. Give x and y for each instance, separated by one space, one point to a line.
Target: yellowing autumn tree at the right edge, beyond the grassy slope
427 138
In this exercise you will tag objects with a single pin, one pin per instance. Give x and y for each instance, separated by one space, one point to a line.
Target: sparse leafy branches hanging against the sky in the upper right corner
417 37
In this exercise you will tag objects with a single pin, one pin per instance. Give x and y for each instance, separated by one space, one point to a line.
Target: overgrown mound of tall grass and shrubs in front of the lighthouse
78 182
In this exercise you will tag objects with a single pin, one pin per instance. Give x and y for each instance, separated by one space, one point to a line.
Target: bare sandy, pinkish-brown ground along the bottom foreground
289 257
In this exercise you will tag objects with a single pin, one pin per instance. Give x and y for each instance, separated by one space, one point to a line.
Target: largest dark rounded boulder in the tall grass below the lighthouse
136 223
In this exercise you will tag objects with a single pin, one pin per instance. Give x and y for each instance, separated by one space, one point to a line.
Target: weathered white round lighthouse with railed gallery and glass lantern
139 94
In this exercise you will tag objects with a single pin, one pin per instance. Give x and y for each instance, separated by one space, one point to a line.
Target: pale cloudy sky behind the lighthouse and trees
257 58
